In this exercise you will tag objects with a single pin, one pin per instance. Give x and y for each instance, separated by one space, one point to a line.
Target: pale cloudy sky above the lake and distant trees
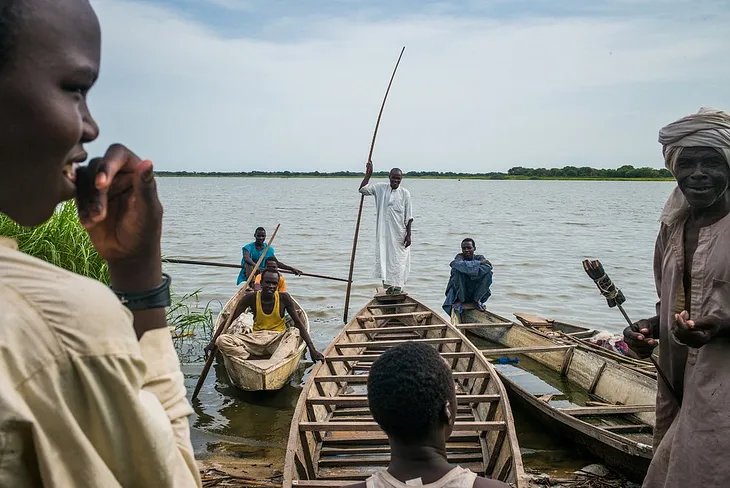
240 85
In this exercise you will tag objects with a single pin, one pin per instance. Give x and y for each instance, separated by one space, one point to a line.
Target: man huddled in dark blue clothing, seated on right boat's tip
471 277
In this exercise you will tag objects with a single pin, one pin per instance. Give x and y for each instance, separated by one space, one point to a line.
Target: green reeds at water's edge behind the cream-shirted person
64 242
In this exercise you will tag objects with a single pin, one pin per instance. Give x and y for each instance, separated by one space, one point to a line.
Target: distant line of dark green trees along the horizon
518 172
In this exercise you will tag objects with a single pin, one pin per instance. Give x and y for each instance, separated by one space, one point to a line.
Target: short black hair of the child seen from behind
408 387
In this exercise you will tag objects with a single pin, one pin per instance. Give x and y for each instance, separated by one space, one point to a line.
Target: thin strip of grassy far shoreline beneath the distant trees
166 174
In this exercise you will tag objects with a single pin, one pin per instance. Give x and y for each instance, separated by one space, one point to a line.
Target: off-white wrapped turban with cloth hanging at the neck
709 127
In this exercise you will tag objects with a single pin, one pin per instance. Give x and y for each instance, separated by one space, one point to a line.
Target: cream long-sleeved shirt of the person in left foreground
82 402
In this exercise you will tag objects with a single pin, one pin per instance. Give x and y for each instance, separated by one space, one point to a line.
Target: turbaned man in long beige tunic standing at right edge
692 325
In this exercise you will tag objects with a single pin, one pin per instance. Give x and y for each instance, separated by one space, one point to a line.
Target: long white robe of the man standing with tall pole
393 212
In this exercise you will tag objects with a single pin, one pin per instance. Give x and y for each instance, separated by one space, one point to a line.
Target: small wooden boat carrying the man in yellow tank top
260 374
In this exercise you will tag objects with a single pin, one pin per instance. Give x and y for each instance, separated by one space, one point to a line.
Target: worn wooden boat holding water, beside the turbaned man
593 400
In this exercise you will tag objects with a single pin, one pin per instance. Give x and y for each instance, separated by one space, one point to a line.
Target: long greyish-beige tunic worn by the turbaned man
691 443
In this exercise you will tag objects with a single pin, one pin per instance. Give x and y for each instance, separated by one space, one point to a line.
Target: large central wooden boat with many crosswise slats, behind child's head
334 440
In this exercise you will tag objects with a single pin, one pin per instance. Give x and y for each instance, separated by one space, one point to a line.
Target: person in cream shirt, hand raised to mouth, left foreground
91 393
